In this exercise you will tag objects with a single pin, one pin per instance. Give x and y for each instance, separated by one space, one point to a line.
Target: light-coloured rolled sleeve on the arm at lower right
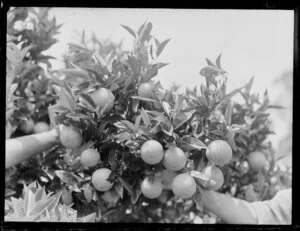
275 211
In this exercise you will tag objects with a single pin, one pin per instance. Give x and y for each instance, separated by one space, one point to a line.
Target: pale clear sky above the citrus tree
252 42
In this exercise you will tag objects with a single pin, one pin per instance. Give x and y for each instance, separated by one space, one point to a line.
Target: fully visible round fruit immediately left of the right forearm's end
184 185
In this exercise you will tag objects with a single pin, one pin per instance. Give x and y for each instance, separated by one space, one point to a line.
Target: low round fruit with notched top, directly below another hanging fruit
151 189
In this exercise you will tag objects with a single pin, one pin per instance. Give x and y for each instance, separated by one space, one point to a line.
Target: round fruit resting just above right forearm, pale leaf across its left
215 174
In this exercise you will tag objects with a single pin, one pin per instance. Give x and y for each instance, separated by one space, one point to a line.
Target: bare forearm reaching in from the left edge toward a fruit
22 148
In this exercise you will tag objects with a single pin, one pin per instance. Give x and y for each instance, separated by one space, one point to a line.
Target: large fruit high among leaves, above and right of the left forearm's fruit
104 98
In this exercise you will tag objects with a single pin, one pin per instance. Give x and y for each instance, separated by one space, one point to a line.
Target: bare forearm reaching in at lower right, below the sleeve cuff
231 210
